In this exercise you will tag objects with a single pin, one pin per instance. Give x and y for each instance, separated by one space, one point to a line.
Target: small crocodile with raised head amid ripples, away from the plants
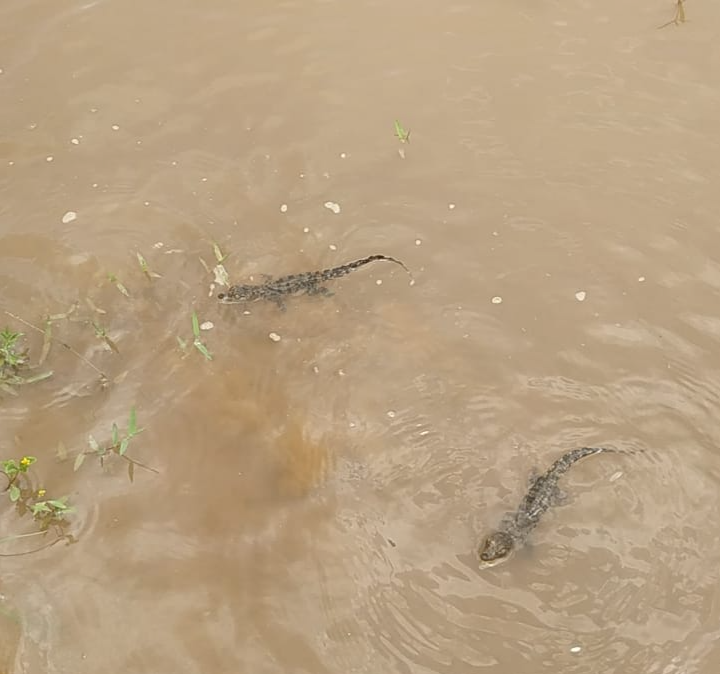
543 493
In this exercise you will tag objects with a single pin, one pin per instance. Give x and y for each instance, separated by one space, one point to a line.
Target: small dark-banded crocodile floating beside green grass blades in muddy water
310 283
